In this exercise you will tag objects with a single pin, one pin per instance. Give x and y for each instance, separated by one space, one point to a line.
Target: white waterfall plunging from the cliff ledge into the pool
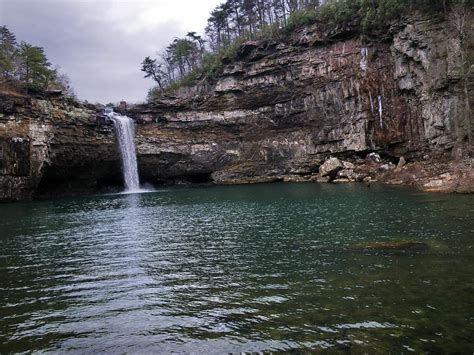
125 137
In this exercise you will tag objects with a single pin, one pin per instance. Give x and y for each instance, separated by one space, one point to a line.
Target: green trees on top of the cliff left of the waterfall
26 67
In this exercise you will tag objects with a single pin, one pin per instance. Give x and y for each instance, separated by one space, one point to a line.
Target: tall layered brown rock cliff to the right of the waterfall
282 108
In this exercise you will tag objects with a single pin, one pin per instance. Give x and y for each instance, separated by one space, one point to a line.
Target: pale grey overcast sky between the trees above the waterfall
101 43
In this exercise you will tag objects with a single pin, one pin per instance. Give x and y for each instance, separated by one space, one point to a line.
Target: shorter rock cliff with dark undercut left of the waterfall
50 145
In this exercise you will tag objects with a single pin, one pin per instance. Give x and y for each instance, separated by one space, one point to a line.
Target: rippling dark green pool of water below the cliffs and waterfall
238 269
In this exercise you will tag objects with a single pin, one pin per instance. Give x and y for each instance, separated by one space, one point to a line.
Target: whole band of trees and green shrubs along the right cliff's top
230 24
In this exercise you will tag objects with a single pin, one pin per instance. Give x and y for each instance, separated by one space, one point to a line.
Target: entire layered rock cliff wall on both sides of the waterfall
281 109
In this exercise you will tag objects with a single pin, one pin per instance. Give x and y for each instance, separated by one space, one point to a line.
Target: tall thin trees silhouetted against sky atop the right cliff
231 21
